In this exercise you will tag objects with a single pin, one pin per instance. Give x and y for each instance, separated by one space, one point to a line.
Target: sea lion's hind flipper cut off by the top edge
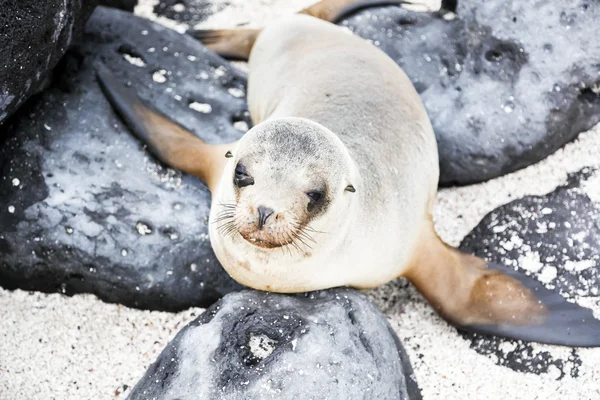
336 10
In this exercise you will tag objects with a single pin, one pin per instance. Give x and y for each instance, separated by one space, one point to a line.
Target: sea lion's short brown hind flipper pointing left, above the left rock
232 44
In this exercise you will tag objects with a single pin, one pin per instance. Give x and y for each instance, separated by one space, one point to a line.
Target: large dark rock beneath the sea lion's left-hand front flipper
83 207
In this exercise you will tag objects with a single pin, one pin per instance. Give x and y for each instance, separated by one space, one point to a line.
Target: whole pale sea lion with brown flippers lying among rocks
335 185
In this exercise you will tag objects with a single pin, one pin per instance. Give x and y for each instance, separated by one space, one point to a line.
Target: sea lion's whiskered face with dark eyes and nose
286 177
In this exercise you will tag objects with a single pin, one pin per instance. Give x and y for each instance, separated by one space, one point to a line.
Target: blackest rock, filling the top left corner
34 35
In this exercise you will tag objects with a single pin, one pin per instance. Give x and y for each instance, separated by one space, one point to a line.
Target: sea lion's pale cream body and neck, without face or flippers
304 67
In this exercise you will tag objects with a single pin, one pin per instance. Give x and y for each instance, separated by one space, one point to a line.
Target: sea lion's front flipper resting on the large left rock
166 140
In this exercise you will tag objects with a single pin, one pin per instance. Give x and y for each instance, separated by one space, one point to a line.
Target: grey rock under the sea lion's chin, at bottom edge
253 345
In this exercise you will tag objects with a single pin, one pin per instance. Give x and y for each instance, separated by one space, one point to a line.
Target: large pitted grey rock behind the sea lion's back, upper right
505 83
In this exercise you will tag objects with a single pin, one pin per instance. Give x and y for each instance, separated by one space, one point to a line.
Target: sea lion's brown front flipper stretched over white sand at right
492 299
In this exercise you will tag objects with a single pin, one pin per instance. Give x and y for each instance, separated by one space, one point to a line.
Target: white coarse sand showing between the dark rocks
57 347
